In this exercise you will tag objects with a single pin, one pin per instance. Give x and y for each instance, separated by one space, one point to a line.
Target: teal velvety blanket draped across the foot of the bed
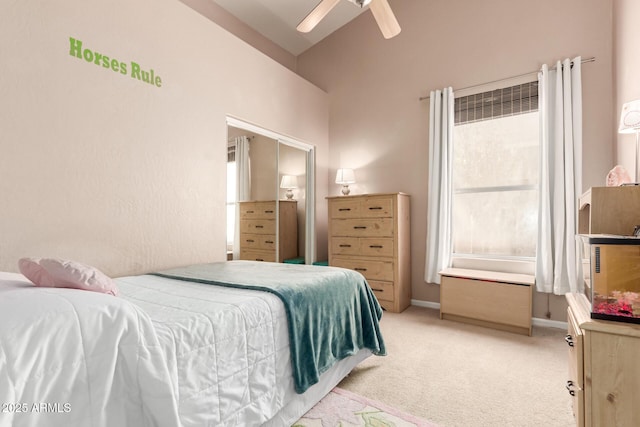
332 312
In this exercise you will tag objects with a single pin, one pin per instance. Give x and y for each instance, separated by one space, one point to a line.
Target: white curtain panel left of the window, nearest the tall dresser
438 254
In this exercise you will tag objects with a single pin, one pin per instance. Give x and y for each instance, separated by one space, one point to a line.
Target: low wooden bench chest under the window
487 298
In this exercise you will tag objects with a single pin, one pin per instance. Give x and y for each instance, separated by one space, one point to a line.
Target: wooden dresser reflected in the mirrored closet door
258 230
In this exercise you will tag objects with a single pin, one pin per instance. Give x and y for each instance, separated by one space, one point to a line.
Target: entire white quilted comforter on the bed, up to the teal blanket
164 353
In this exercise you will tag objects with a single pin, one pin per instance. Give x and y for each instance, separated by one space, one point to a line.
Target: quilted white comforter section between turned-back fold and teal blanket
227 349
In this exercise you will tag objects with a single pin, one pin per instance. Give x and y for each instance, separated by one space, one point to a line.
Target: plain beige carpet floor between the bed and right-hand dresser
455 374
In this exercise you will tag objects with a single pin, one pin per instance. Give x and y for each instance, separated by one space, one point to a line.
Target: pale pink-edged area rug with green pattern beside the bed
346 409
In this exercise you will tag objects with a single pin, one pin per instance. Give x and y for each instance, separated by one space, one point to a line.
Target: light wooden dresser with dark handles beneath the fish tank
604 368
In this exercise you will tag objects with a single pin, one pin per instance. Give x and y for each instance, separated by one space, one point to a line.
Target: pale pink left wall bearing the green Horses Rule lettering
100 167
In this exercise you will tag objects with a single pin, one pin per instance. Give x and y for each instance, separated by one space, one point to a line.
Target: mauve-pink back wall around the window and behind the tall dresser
378 126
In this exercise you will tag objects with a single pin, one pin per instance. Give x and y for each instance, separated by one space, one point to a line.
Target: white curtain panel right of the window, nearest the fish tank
558 269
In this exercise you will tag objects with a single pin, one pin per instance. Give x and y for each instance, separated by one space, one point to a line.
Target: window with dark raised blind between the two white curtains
495 173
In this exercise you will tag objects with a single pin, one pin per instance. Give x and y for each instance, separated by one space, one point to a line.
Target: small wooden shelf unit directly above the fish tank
609 210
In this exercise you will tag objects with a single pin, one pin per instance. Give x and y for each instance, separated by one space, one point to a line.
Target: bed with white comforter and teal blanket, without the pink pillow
204 345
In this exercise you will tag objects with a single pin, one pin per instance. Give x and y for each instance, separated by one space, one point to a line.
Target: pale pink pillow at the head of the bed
69 274
